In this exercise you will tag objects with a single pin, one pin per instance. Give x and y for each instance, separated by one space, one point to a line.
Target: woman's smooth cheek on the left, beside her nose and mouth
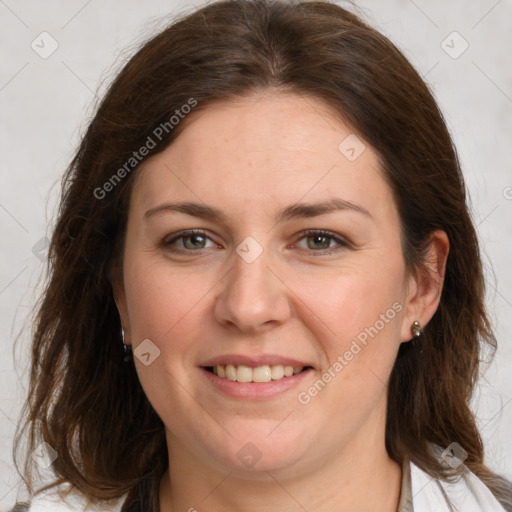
165 306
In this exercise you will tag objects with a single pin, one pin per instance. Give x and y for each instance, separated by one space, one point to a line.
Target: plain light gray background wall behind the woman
46 103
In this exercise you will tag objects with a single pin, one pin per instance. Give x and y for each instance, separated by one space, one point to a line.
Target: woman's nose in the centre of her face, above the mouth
253 296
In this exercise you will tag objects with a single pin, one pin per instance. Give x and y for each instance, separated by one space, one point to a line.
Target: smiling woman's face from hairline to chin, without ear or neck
294 267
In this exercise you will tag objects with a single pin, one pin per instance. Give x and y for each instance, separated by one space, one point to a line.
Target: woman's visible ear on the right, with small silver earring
424 289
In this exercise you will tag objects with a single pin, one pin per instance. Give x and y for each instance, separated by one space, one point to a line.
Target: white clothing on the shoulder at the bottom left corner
64 501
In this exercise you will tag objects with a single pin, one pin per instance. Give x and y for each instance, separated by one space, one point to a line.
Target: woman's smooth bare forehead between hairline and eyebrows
263 150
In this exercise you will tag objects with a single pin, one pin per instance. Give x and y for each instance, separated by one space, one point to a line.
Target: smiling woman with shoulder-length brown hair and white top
268 216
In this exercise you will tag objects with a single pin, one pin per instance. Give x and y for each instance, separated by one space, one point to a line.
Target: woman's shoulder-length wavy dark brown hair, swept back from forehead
85 401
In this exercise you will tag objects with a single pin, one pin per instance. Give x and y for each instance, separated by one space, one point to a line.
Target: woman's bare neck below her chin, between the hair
359 477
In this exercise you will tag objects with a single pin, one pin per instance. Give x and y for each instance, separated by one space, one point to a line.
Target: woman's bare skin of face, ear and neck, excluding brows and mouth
250 159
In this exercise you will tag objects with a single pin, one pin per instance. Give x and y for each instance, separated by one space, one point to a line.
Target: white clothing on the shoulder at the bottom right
467 493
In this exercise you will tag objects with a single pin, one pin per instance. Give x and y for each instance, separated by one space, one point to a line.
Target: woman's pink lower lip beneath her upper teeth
255 390
